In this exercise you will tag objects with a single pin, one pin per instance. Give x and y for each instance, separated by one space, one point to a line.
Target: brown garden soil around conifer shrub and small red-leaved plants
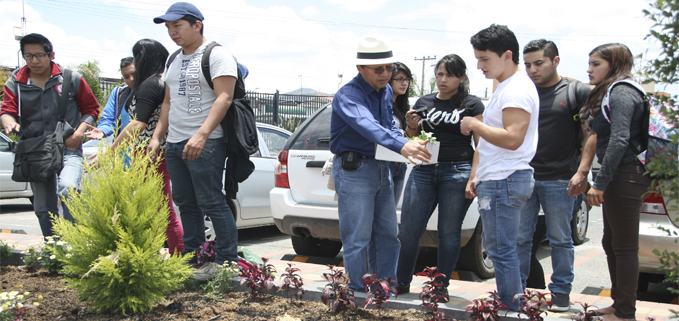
60 303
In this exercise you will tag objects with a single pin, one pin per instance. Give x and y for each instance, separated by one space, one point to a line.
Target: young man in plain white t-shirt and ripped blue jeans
501 172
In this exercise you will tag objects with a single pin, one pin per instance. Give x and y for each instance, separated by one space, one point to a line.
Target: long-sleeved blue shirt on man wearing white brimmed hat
363 117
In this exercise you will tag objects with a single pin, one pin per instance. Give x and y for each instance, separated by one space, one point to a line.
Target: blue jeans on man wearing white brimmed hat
367 214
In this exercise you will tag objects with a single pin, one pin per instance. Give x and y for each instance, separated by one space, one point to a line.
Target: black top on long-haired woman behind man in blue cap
145 107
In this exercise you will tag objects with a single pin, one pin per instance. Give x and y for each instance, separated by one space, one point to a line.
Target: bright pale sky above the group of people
281 40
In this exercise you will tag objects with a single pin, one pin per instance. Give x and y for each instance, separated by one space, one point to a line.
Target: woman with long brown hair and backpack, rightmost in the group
614 112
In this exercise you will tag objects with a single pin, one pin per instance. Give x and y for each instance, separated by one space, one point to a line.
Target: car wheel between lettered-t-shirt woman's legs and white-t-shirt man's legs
474 257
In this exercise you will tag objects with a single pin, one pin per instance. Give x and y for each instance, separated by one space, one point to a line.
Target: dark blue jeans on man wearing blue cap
197 190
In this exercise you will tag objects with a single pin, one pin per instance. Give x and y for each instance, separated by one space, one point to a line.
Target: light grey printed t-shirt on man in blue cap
191 97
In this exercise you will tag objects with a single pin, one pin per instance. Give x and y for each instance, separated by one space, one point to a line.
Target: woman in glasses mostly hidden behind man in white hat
400 84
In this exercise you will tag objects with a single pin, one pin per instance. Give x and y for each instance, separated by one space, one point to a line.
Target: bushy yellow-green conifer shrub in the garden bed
120 221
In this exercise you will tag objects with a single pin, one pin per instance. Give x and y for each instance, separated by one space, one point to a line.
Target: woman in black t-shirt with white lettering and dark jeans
443 183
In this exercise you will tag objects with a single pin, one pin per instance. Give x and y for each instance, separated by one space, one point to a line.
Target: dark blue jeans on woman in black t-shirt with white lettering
428 185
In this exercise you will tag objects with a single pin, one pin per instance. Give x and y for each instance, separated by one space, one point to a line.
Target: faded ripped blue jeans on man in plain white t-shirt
500 204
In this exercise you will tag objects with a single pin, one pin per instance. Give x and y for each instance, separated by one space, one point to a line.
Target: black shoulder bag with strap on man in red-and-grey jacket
40 158
